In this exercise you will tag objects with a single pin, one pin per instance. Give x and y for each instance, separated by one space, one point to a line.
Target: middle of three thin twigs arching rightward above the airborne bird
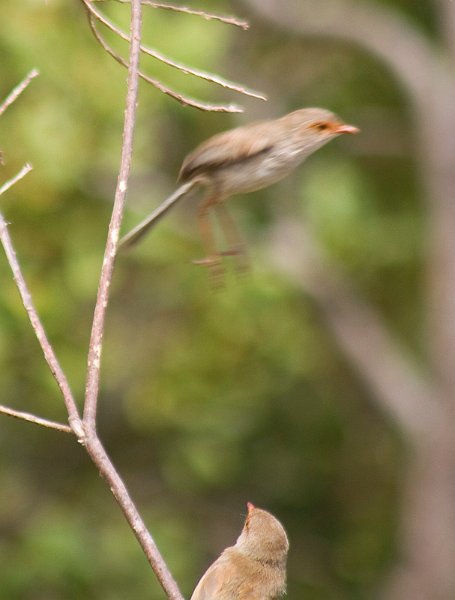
172 63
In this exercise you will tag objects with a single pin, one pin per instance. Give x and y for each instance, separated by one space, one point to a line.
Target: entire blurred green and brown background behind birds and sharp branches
319 386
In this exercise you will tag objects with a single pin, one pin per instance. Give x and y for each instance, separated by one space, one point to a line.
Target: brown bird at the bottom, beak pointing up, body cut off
254 568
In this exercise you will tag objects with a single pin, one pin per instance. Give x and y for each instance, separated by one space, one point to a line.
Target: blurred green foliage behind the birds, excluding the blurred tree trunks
208 399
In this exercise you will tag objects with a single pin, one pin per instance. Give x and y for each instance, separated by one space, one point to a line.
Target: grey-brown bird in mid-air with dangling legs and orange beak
242 160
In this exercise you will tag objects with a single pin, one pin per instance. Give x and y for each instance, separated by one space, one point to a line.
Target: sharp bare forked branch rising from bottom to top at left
85 429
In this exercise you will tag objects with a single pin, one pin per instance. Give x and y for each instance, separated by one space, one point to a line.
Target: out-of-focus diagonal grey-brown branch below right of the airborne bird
402 391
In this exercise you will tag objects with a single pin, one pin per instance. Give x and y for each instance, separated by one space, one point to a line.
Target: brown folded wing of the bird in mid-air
227 148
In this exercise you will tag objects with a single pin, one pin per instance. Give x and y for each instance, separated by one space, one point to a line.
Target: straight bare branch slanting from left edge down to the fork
38 328
